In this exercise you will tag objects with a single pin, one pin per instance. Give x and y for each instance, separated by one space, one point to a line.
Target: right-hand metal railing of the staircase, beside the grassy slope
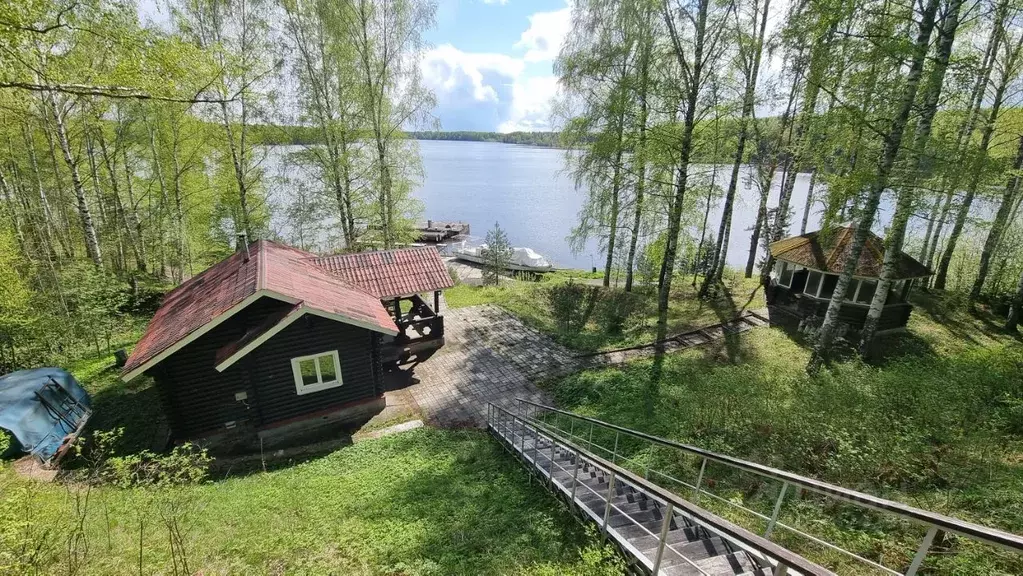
537 413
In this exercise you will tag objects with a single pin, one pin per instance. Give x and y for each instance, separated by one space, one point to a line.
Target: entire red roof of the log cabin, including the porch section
348 289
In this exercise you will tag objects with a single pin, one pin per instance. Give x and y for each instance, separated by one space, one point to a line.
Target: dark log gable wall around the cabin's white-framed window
199 401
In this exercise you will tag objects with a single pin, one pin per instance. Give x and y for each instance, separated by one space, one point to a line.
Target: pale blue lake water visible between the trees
529 193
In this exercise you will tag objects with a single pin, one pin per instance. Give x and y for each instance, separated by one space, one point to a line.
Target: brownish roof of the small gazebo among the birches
829 253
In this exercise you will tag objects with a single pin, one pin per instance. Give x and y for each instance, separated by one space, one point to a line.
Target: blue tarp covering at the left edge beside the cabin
43 409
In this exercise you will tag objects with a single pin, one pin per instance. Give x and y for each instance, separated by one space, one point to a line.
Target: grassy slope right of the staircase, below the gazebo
939 424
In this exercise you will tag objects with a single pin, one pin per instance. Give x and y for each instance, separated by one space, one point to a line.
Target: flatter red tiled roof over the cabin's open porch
391 274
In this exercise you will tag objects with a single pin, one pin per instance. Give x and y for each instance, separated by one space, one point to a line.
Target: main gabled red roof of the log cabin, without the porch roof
274 270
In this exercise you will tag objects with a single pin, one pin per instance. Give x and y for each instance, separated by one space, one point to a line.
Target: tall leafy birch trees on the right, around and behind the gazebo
914 104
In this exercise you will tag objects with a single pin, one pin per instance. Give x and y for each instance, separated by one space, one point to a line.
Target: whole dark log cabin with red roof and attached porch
275 340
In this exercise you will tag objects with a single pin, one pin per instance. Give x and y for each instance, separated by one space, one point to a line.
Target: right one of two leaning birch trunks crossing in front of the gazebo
919 161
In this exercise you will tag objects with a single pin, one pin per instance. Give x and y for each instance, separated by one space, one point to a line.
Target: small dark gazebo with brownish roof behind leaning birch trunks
807 272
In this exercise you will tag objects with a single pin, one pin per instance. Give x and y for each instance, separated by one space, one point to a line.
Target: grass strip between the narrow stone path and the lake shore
591 331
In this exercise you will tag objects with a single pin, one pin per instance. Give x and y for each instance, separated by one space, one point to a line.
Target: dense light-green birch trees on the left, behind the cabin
130 153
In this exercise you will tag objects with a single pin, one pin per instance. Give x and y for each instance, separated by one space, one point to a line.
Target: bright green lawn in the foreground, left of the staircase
427 502
